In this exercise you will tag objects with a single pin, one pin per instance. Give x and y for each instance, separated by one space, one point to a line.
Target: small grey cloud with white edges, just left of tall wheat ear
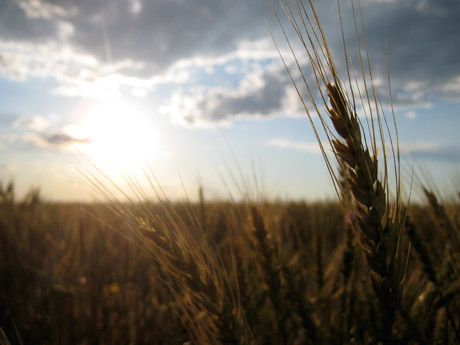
265 91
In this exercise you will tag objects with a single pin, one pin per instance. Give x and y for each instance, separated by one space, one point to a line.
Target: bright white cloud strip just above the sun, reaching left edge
77 74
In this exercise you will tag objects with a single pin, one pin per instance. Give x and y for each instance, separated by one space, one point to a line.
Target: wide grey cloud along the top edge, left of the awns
158 32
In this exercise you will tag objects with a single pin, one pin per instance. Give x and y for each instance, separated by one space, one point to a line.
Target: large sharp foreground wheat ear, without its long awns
378 233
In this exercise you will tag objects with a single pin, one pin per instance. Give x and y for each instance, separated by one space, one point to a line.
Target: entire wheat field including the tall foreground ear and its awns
367 269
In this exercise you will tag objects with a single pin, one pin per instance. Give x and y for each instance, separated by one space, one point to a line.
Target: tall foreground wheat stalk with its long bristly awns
378 222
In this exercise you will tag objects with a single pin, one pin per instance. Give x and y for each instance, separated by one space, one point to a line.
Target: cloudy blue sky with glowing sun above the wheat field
195 93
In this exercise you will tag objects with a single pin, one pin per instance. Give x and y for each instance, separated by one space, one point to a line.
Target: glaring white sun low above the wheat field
116 134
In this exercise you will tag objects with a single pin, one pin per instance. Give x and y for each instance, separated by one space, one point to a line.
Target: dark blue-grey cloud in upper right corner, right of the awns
423 38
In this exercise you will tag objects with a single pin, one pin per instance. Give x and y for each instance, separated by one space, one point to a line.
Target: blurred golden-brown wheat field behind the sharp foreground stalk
228 273
